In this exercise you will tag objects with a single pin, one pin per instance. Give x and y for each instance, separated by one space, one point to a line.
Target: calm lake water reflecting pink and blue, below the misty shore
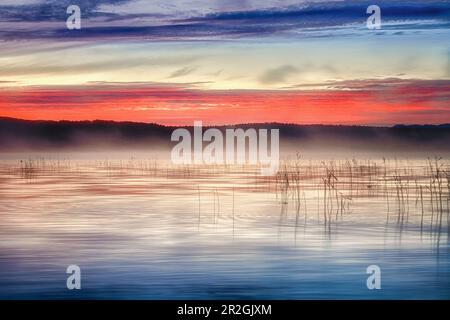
140 230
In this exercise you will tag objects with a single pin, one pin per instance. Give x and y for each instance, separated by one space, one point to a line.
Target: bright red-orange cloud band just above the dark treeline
374 102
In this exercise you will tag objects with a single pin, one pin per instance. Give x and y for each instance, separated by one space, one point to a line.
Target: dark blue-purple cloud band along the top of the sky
201 19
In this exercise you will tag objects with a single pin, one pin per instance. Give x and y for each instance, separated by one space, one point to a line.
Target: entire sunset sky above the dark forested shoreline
226 61
